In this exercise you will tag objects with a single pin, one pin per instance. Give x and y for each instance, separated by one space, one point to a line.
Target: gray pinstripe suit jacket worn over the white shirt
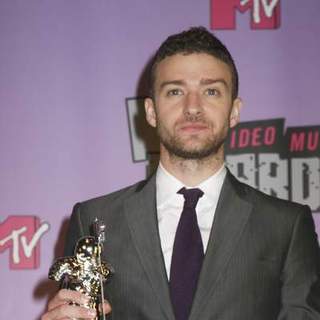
262 261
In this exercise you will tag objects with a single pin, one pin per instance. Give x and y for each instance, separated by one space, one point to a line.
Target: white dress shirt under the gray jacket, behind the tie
170 206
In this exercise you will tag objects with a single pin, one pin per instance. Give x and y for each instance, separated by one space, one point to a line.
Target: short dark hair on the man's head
195 40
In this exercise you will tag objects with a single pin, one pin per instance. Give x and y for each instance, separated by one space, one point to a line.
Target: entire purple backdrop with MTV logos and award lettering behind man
71 116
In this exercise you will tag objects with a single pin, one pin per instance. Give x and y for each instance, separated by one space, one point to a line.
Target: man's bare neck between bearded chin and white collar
191 172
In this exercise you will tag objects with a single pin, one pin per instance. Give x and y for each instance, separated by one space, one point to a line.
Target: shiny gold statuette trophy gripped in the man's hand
85 272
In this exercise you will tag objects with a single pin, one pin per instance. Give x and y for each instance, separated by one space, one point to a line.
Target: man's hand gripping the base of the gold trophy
59 306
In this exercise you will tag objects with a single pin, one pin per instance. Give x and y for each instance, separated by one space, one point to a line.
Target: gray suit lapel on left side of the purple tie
140 210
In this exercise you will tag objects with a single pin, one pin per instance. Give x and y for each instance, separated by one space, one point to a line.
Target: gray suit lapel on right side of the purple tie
231 216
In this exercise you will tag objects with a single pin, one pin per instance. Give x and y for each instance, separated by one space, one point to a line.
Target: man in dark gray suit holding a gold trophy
192 242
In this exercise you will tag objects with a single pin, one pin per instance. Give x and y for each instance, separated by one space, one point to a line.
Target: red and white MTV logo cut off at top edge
265 14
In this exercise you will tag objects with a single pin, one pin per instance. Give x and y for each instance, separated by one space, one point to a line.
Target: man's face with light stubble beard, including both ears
192 107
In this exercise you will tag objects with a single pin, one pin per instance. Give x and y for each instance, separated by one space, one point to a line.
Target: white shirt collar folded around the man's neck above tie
167 185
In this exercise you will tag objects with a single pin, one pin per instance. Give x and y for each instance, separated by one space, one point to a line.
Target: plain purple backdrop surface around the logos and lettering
67 68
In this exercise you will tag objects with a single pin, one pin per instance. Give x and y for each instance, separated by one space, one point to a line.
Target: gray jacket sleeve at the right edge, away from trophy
301 272
